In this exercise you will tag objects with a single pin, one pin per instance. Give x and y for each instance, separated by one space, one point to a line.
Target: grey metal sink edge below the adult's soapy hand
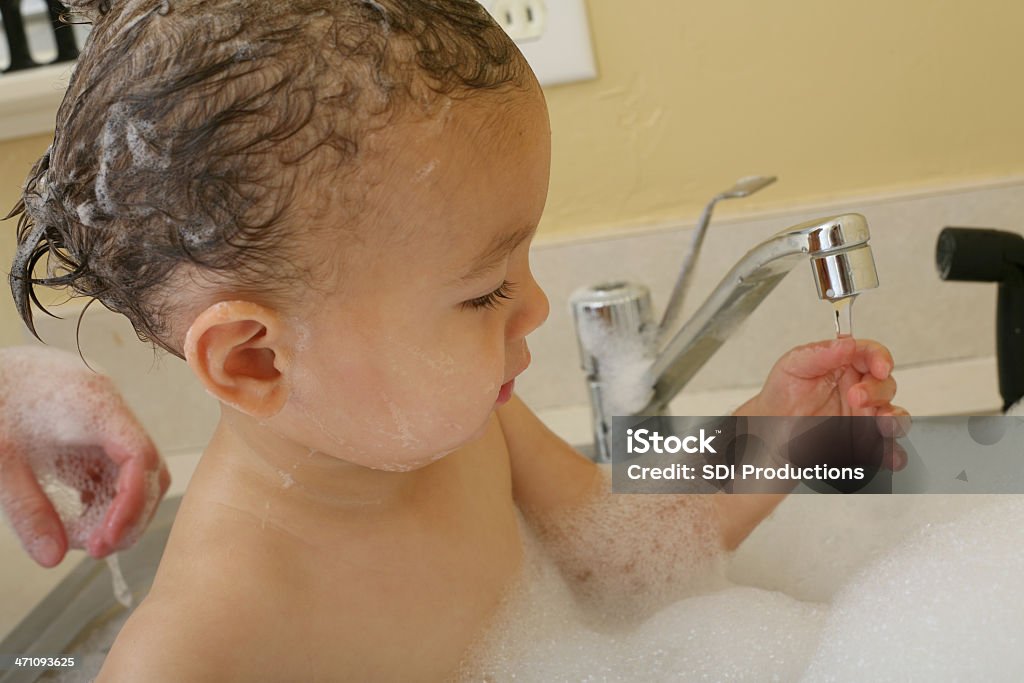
81 617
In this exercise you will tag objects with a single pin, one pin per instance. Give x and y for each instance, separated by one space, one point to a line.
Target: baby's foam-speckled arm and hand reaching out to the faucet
620 548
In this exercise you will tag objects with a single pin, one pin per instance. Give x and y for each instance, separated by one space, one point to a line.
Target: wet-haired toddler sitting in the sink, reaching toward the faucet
326 208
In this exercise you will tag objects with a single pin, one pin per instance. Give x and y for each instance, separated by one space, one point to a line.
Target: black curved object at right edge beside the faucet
985 255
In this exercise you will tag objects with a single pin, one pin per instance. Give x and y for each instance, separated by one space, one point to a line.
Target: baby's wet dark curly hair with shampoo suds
188 124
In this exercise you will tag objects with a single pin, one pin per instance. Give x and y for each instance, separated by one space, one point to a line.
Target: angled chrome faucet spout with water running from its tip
842 266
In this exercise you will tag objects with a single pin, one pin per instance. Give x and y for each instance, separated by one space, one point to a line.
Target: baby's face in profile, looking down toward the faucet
425 330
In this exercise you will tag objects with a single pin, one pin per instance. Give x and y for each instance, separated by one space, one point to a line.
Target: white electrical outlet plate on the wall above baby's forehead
553 35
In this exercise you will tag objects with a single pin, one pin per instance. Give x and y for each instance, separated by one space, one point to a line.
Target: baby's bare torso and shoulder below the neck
262 585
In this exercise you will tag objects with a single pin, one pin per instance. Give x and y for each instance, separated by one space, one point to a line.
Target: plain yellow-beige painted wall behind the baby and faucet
837 99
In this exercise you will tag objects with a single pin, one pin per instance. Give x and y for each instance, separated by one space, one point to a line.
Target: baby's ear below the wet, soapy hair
238 350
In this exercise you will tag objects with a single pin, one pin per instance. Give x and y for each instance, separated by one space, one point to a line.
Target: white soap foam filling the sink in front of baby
865 588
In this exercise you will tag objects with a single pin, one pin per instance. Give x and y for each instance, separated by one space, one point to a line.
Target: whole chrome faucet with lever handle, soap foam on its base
636 367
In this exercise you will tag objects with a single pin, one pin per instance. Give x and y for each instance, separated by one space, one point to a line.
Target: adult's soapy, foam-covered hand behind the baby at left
77 471
